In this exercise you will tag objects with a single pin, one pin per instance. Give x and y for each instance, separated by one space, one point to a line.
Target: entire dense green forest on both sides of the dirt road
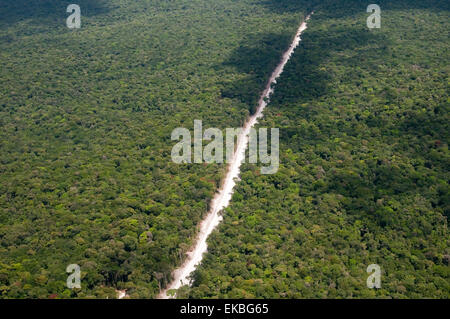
86 175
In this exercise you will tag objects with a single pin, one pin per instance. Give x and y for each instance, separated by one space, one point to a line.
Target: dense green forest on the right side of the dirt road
364 123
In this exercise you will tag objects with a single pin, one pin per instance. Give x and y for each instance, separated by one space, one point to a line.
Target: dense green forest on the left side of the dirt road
87 115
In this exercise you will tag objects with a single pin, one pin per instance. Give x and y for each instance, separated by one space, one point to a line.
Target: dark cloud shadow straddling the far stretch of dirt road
303 78
